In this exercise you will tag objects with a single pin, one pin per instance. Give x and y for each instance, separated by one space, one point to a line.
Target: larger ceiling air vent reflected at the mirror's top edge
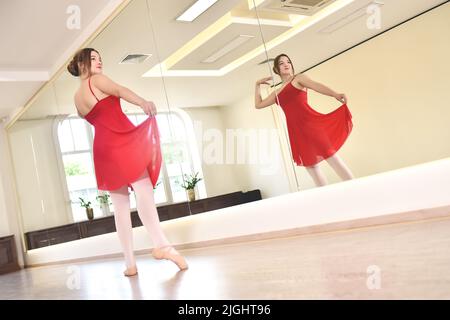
301 7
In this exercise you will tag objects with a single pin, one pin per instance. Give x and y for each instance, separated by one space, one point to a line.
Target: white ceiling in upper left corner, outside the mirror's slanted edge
36 42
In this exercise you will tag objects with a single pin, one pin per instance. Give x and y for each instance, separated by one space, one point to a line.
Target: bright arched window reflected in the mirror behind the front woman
75 137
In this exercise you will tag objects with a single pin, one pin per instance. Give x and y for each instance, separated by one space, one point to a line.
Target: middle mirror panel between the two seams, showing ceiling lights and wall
209 68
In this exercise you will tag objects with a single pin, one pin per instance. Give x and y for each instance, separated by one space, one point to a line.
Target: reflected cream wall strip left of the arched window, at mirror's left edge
38 178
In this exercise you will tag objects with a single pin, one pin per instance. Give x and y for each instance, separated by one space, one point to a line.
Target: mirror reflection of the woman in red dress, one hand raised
313 136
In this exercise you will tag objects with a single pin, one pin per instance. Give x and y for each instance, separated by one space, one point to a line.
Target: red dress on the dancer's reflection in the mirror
313 136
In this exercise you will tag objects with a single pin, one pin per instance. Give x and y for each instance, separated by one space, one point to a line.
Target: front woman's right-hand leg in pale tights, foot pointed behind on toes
148 214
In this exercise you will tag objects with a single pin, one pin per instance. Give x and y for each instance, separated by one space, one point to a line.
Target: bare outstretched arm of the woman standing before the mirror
108 86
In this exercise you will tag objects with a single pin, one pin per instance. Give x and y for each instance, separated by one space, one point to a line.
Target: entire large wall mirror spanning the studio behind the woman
201 75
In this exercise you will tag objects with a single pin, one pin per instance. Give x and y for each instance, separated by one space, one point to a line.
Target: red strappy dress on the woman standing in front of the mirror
122 151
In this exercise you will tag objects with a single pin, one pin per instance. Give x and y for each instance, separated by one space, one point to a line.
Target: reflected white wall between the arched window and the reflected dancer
267 173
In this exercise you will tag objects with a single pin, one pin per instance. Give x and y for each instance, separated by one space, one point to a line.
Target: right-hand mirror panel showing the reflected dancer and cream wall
393 70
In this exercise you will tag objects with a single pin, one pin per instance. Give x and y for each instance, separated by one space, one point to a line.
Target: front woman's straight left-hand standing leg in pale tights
121 203
